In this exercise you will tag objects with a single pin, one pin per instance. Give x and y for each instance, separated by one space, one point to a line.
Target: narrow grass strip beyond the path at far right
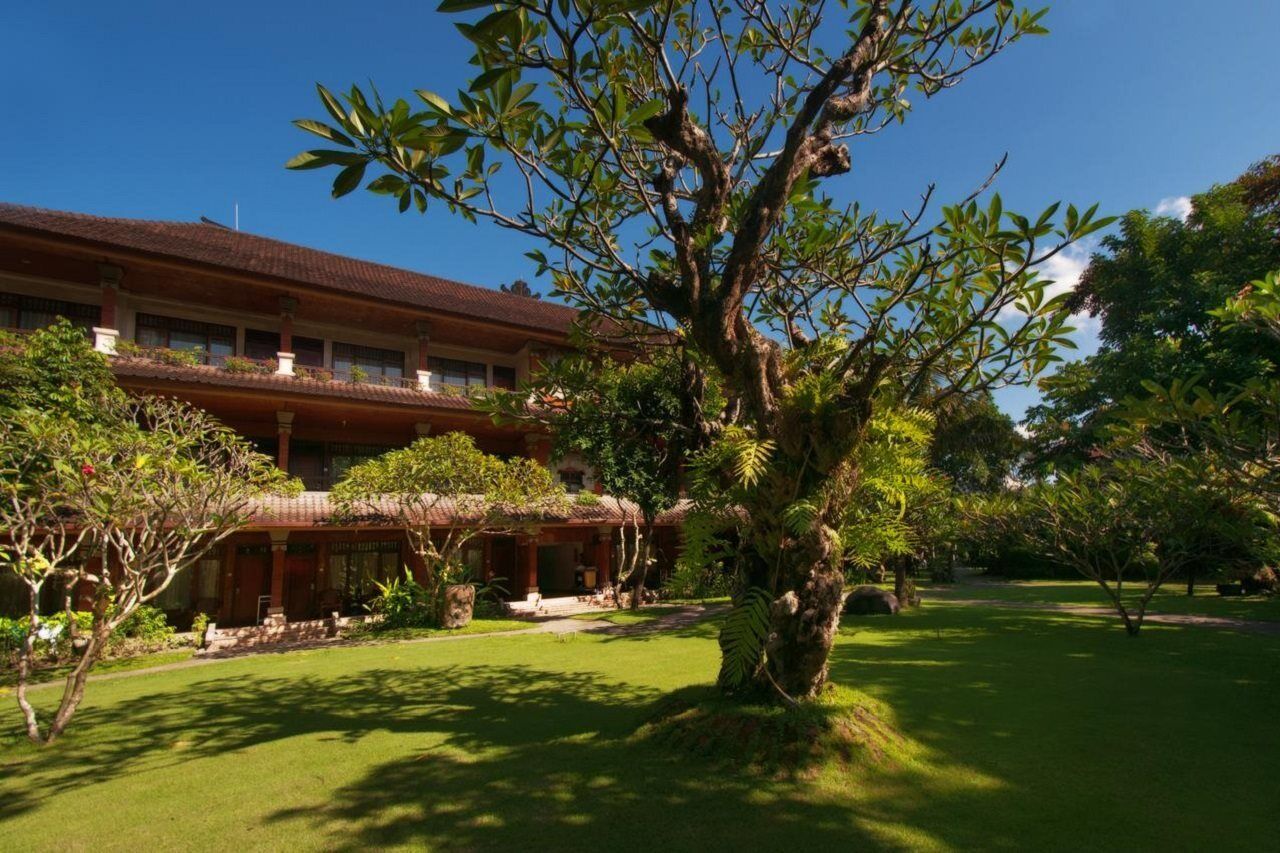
1172 599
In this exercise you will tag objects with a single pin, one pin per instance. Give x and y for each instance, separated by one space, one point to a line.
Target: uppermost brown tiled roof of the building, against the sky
244 253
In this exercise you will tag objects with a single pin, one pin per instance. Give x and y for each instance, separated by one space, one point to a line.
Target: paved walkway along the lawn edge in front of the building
682 618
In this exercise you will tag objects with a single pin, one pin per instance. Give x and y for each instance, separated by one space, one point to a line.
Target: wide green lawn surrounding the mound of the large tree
1017 731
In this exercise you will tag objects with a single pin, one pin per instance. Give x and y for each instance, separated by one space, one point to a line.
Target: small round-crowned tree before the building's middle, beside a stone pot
444 492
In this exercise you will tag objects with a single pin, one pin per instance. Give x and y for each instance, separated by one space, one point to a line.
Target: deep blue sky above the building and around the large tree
172 111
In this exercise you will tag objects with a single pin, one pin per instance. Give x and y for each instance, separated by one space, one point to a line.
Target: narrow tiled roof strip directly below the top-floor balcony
212 376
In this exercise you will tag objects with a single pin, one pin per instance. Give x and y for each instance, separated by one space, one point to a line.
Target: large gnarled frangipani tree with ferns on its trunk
673 159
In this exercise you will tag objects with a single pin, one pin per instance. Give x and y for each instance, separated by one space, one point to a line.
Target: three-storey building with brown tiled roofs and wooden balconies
322 362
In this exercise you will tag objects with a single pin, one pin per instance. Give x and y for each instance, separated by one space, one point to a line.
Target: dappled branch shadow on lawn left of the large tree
523 759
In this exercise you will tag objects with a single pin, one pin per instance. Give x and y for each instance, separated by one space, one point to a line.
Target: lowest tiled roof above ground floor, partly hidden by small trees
314 509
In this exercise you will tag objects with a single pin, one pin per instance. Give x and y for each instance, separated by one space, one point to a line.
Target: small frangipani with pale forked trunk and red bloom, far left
148 495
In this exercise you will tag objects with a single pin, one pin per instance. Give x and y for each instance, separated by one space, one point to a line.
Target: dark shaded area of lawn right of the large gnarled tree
1090 732
